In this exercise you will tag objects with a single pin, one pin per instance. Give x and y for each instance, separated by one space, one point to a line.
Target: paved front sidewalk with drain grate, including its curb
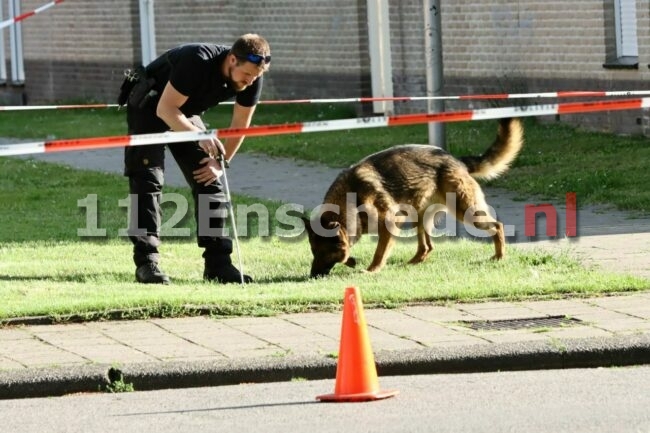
201 351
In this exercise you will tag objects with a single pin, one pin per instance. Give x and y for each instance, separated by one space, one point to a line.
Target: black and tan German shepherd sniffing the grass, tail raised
415 176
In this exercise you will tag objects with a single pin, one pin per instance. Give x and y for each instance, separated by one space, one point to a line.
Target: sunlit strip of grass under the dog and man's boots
92 279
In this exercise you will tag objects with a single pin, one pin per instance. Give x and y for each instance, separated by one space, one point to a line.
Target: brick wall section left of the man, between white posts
77 50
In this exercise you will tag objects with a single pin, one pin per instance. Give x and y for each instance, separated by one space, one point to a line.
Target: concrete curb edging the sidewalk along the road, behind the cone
577 353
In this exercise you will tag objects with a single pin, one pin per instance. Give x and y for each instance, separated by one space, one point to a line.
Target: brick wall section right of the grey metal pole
516 46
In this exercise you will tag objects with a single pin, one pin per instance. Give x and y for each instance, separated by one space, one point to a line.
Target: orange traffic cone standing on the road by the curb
356 372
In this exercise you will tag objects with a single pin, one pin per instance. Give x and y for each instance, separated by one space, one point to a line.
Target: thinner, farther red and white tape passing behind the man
496 96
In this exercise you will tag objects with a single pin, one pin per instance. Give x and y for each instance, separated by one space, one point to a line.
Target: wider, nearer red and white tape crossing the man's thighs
321 126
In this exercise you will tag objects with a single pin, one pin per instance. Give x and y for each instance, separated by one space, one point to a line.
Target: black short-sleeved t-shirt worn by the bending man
195 71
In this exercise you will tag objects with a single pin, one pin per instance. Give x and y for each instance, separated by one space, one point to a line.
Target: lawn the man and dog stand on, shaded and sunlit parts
47 269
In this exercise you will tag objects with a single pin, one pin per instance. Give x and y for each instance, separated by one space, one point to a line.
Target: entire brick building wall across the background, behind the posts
78 50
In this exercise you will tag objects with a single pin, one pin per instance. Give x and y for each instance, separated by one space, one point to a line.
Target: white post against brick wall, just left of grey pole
381 63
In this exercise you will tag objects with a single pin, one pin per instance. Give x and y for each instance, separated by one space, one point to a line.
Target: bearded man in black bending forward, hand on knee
176 88
